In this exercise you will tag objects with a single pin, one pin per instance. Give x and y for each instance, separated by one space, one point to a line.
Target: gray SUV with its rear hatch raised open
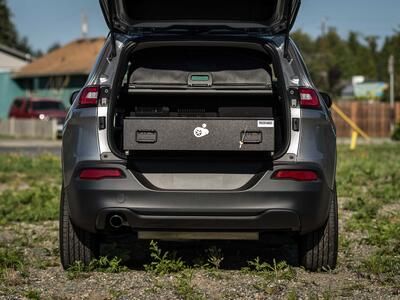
199 121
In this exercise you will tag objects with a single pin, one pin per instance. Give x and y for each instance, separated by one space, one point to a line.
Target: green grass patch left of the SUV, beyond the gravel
24 198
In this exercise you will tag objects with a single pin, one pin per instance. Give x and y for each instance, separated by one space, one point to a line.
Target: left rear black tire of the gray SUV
76 245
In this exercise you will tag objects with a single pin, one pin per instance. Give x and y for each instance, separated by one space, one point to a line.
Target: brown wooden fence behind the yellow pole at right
374 118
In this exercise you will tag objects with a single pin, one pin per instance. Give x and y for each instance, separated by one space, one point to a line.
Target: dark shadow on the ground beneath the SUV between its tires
234 254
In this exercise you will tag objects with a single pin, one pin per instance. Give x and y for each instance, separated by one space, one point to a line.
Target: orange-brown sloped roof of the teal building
75 58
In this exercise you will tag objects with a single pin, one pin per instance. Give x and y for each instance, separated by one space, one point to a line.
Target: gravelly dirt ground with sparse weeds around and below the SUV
45 278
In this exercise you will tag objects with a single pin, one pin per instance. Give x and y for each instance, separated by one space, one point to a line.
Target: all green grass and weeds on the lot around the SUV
368 181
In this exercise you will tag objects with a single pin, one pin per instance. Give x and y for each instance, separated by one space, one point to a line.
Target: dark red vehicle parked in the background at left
42 109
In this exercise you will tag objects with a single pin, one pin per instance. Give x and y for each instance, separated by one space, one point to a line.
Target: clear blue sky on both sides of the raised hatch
46 22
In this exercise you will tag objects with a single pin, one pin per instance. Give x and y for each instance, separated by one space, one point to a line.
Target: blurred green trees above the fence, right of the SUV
332 60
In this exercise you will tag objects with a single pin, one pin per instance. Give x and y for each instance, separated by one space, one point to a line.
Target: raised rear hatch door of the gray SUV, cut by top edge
270 16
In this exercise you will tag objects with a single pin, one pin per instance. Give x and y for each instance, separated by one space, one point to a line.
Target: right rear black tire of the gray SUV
319 249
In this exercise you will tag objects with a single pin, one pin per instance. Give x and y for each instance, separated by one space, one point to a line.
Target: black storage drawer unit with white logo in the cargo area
208 134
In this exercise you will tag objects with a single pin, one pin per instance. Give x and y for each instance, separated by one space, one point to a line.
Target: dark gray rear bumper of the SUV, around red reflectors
269 205
